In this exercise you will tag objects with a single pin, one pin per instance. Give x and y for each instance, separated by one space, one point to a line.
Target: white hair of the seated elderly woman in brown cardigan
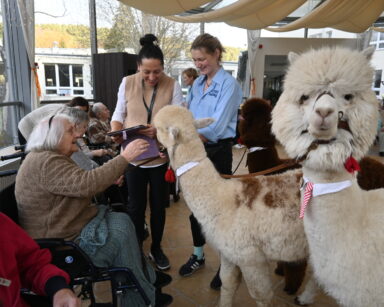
47 133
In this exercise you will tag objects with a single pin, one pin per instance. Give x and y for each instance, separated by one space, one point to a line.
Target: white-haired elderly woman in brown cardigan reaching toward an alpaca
54 200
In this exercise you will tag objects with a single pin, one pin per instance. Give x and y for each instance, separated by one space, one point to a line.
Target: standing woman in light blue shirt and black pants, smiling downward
214 94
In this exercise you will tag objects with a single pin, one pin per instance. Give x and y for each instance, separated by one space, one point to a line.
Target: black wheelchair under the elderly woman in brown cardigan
68 256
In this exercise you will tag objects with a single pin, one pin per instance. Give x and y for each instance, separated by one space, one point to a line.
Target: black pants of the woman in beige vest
138 180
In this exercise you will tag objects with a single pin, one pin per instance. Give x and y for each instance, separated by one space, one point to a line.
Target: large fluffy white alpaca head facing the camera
327 98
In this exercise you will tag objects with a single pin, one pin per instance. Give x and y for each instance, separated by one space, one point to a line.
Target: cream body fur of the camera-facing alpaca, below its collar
339 235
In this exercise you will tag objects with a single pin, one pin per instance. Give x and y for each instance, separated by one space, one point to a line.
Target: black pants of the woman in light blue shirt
221 156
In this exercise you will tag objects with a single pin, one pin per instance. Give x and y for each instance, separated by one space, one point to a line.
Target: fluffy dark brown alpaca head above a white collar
255 123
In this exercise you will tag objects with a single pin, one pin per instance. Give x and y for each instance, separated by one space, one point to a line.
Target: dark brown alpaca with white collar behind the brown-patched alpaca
255 134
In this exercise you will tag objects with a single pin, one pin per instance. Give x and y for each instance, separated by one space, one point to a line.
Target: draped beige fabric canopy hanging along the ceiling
352 16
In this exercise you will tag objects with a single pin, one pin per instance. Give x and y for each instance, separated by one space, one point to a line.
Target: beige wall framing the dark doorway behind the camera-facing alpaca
282 46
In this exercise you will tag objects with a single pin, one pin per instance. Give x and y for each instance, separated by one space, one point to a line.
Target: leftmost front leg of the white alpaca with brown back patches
230 277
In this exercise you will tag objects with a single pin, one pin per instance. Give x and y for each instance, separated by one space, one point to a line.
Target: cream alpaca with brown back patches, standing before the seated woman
249 221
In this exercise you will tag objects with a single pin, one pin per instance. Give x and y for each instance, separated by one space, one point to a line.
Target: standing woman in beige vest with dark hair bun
140 97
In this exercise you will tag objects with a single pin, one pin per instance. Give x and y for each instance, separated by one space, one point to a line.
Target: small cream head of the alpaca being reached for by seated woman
175 125
